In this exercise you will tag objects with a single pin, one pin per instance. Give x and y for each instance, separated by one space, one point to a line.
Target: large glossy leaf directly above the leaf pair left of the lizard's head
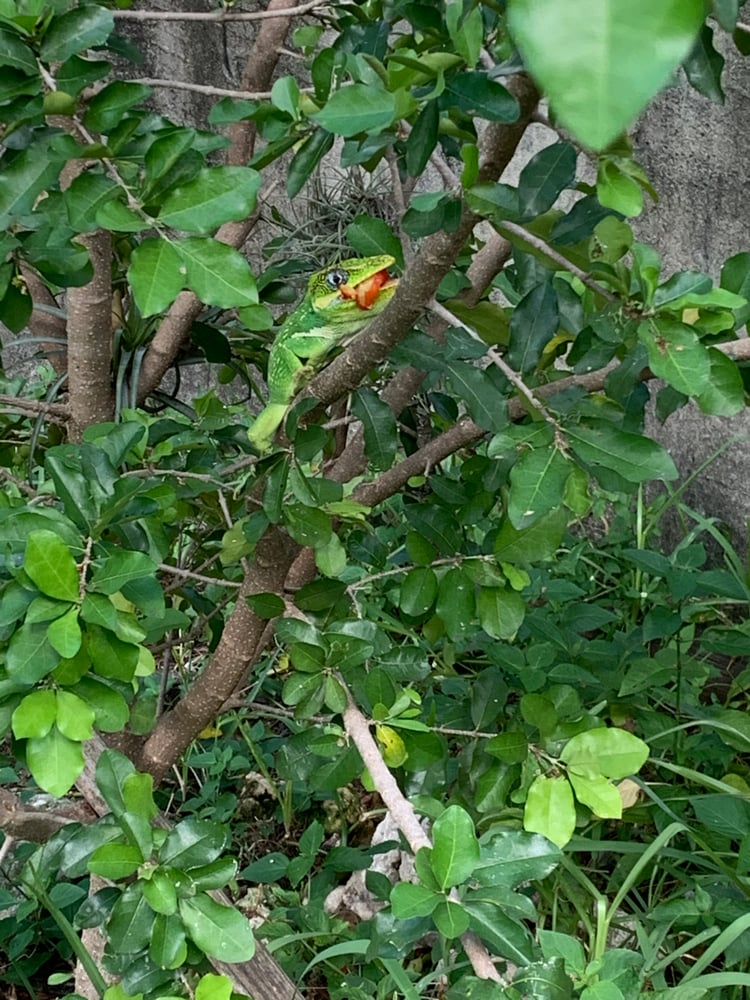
217 195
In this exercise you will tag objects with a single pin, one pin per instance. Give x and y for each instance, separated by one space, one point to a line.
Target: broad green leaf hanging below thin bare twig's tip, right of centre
537 484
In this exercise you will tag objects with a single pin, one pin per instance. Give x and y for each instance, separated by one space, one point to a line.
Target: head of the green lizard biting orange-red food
354 290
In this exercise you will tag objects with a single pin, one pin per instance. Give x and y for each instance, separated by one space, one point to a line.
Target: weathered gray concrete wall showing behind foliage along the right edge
696 155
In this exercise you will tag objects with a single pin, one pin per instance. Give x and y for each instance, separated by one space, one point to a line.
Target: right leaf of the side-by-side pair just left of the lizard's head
218 274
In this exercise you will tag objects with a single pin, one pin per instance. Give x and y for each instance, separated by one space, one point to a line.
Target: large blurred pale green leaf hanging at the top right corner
595 59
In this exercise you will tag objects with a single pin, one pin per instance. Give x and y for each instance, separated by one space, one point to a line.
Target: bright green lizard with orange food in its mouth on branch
339 302
